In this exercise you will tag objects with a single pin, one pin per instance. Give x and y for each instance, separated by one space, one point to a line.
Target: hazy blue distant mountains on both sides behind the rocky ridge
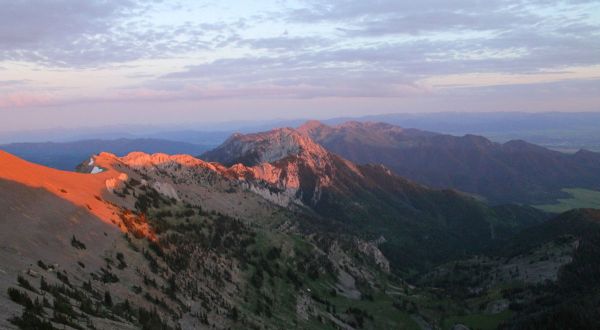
556 130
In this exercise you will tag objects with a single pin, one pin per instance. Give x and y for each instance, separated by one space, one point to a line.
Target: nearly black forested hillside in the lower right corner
573 300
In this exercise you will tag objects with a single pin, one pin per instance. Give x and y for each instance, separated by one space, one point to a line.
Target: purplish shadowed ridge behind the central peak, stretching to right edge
515 171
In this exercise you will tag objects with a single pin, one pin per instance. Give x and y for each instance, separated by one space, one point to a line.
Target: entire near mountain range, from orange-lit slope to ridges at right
279 230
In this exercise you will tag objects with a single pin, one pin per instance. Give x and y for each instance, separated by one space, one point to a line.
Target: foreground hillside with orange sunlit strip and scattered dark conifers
157 241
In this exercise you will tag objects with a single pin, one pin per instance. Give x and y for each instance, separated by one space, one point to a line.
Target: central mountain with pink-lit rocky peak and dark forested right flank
419 225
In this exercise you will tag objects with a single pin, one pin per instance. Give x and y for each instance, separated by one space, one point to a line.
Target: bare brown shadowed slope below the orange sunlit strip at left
36 224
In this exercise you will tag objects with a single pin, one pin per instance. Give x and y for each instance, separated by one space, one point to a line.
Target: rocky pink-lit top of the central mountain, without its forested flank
284 158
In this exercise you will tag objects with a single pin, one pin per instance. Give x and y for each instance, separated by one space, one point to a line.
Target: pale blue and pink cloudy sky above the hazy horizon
73 63
